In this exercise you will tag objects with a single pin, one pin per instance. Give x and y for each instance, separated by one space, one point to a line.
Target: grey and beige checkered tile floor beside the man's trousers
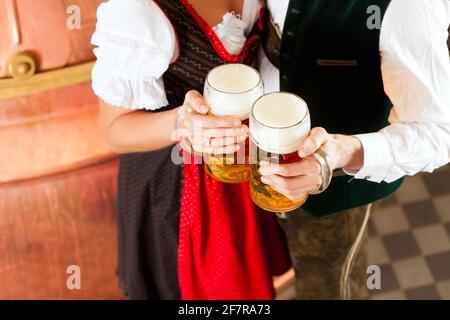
410 239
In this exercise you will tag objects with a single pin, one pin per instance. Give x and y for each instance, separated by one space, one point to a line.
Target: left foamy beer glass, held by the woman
231 90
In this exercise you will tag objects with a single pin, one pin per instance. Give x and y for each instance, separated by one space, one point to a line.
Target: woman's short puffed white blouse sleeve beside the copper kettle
135 44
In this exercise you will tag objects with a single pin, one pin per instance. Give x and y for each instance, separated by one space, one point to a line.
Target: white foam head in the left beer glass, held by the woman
234 89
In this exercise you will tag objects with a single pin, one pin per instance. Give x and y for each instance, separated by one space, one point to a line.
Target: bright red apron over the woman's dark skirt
228 249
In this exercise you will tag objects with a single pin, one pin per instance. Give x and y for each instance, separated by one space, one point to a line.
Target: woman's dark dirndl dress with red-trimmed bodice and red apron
183 234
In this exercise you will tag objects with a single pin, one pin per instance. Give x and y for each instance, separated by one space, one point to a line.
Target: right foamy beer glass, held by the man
279 122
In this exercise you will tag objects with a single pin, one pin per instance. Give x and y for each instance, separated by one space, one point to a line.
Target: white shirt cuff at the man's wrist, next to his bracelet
377 158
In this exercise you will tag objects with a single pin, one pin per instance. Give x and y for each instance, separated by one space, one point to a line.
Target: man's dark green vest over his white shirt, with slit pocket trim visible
330 58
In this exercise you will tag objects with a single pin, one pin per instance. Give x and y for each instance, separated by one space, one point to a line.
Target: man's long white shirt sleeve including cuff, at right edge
416 76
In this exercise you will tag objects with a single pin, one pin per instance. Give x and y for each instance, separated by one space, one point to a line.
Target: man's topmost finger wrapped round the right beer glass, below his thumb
308 166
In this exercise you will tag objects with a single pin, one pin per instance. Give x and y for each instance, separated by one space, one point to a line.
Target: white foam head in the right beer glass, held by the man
280 123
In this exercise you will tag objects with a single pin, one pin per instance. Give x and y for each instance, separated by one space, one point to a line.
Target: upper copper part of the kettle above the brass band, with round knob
34 36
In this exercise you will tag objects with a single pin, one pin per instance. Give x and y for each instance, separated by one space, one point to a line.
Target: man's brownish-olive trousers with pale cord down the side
329 254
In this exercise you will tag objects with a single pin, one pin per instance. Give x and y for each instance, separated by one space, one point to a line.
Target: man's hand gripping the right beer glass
296 180
